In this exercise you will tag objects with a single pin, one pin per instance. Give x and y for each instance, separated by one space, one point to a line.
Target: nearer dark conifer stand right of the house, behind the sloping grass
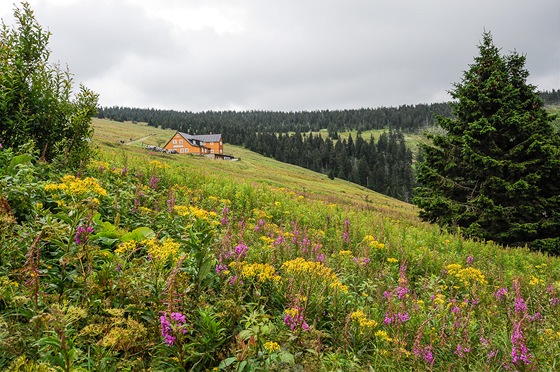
384 165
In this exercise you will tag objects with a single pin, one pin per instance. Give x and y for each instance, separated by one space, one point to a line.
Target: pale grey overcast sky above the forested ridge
289 55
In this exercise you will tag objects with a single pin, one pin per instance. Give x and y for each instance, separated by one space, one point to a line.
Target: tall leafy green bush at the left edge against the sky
36 99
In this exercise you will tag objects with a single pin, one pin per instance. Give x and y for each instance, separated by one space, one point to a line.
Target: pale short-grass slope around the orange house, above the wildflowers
252 168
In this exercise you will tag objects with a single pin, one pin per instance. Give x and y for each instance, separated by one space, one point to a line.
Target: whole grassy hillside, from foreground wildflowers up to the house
146 261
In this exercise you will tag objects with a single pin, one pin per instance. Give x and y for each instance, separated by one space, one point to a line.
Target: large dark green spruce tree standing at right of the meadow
494 172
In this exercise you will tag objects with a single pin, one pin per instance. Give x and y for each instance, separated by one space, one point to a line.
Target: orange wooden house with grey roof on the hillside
205 144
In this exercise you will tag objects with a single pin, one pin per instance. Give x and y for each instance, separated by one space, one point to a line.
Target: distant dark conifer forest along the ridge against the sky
407 118
